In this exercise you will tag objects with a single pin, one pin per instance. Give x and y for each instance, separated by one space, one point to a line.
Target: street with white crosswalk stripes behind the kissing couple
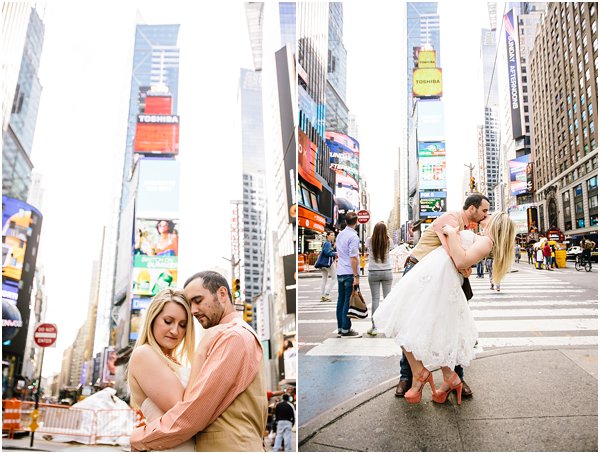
535 310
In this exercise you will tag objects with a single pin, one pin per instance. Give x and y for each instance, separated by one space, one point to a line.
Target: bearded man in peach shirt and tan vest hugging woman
226 406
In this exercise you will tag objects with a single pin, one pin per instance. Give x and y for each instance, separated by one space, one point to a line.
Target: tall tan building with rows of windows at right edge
564 81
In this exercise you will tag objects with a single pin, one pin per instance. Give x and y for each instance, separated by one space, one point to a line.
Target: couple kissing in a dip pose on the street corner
427 313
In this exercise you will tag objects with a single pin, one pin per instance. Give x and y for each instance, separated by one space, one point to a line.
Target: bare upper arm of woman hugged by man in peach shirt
156 380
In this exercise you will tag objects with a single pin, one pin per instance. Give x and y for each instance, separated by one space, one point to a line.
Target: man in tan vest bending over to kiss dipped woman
475 210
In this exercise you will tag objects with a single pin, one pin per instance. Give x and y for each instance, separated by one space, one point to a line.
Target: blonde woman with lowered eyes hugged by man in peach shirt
157 376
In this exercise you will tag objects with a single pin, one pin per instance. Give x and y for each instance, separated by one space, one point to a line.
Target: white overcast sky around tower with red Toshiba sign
79 143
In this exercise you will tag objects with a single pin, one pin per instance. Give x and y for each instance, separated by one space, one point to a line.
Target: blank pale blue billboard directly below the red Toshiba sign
158 189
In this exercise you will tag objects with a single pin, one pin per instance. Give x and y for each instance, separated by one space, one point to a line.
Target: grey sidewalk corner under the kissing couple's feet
524 400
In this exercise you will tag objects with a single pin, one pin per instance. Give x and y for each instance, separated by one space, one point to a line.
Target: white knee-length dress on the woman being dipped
428 314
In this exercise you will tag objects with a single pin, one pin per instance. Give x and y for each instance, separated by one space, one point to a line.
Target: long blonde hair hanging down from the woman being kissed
501 229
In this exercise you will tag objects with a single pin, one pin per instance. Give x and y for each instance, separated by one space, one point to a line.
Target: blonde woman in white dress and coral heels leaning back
427 313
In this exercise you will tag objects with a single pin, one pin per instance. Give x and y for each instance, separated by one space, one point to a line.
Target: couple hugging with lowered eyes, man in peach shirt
217 404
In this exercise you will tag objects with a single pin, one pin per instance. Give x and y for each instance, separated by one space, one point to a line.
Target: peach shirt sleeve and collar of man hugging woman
231 365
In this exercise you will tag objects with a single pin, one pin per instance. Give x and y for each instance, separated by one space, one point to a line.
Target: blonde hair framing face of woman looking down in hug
185 350
